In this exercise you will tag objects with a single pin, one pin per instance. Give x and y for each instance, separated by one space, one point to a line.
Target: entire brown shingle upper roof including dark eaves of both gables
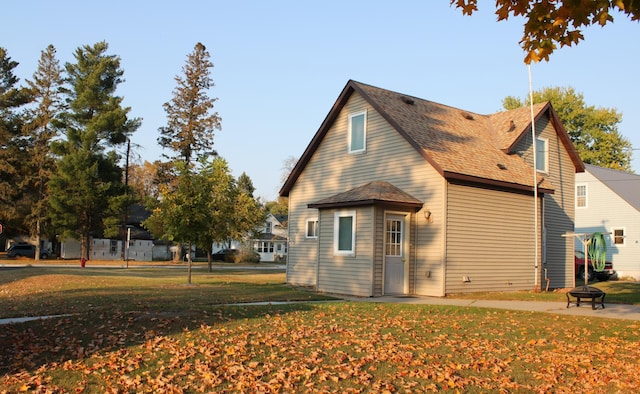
459 144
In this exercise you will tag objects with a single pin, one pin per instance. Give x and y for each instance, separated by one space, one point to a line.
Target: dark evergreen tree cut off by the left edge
12 152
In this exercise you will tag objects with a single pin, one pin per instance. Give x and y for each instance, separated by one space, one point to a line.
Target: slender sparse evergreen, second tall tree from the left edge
46 88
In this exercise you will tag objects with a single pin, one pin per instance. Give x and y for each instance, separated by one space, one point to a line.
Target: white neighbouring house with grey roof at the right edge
609 201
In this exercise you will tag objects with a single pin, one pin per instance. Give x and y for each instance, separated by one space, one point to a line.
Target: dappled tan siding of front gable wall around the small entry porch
332 170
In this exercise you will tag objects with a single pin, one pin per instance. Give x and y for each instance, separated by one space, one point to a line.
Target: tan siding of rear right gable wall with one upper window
559 207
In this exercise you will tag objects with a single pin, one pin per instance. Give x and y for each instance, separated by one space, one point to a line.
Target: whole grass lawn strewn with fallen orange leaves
146 330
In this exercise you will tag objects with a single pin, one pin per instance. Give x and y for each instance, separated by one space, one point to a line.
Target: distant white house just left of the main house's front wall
271 242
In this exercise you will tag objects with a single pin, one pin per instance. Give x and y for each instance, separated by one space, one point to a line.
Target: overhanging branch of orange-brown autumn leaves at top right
553 23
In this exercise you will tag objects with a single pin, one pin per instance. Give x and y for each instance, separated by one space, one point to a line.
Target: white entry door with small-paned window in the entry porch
394 268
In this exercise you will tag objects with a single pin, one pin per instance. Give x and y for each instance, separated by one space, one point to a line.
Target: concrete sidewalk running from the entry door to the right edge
611 311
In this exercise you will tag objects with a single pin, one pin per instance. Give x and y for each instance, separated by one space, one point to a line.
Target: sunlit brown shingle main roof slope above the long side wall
458 142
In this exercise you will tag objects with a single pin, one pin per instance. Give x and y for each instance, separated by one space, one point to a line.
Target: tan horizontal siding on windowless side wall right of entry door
490 240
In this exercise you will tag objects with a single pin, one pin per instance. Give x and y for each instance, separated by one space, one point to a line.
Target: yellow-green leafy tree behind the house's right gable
594 131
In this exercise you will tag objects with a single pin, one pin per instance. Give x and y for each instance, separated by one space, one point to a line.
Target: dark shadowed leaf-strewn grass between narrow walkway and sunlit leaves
31 345
